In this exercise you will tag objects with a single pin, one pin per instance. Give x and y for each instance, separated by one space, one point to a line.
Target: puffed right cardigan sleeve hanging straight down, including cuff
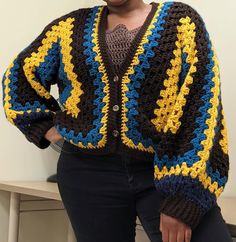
191 160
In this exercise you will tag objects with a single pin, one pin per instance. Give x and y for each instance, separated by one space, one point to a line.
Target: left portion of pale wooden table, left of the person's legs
49 199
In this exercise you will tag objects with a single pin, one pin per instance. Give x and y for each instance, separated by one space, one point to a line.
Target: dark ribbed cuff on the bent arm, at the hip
37 131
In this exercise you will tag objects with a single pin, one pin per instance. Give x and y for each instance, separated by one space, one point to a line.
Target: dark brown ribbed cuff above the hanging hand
182 209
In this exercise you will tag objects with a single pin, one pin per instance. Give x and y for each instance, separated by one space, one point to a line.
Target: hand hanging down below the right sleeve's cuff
174 230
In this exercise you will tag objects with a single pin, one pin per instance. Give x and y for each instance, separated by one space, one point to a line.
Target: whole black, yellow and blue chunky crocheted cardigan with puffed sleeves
165 102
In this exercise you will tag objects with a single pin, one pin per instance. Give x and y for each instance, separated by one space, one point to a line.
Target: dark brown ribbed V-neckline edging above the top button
126 63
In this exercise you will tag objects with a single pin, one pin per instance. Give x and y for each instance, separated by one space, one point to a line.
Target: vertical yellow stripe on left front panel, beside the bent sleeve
72 101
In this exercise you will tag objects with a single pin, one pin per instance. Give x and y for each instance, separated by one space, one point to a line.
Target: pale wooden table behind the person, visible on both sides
50 199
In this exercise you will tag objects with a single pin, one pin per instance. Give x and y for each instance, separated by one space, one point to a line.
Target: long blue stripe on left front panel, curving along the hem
93 136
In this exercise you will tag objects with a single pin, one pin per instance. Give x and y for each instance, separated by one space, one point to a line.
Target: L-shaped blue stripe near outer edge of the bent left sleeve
13 87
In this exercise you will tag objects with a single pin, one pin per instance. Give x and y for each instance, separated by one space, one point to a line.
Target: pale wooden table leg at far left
14 217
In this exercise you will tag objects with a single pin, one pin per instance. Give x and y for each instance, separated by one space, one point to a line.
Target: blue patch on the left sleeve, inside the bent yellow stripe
48 67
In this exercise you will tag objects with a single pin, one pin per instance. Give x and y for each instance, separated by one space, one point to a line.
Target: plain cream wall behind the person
21 21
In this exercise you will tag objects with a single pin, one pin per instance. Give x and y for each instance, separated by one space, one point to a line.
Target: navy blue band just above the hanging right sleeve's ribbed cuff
187 187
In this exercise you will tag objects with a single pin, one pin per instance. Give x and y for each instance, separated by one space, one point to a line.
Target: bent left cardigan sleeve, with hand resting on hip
26 84
